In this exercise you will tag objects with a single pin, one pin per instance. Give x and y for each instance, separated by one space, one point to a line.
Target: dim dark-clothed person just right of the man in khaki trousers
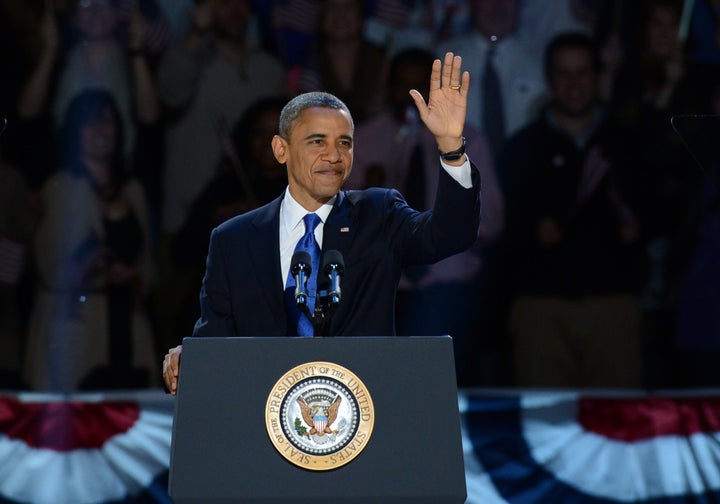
651 85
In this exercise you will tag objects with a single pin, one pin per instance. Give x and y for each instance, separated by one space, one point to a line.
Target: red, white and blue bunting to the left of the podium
87 449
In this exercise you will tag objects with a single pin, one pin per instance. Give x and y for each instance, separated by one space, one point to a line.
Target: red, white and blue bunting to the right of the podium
546 447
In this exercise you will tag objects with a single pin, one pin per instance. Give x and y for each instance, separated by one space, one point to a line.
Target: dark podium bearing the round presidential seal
235 406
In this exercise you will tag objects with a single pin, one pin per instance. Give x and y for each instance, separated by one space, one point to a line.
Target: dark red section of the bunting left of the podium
65 426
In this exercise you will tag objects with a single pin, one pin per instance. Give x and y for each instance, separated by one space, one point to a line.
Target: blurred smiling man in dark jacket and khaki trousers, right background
574 256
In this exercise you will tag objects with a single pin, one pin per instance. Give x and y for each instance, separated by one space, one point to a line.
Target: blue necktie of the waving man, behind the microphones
299 323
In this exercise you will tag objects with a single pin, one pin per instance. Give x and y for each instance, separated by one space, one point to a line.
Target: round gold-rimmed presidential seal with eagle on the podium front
319 416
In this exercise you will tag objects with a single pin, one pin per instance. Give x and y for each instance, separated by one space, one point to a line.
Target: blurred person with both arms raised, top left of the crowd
93 45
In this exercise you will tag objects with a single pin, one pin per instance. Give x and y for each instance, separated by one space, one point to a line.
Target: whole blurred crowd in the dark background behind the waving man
136 126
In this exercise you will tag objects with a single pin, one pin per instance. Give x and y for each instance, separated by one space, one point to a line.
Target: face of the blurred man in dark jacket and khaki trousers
573 81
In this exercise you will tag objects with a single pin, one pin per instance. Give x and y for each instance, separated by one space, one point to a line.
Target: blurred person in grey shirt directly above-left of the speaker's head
206 83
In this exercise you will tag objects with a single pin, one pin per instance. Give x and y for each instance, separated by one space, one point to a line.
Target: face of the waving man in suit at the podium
318 155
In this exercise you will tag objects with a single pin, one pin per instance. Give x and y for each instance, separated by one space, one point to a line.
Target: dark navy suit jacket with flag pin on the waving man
376 232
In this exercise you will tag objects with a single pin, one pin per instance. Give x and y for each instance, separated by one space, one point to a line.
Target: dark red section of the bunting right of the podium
637 419
